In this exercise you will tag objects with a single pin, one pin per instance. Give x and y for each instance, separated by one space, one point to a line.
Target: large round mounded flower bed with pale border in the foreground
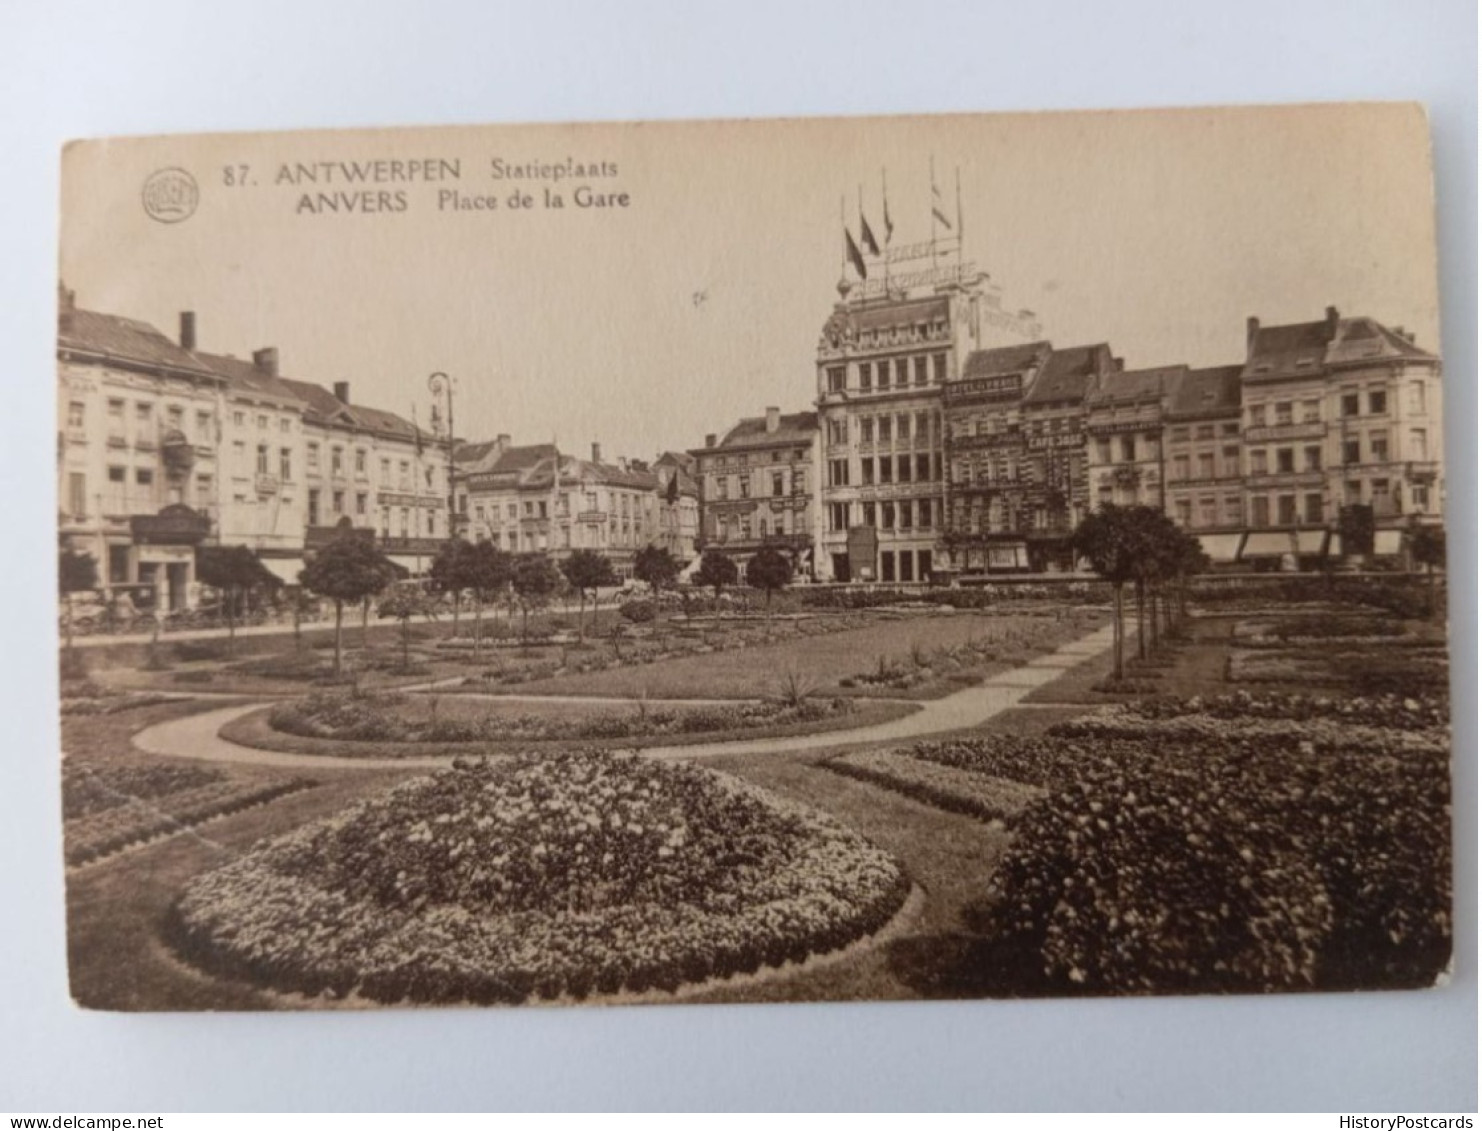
546 877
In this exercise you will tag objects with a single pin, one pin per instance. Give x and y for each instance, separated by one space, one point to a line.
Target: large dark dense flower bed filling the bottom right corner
1185 852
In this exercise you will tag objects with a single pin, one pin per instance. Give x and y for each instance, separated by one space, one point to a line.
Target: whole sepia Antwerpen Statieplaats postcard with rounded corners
979 557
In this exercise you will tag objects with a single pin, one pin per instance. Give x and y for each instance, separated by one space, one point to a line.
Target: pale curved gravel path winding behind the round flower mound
198 736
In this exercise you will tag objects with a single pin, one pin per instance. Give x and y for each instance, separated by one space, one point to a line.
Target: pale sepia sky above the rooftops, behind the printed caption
700 302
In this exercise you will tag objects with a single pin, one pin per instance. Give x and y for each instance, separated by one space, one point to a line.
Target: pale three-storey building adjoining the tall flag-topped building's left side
758 488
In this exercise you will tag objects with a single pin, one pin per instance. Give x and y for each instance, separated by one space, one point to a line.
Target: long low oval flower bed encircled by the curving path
392 720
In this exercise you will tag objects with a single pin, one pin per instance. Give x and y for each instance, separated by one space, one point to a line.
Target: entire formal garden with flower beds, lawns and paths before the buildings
1249 791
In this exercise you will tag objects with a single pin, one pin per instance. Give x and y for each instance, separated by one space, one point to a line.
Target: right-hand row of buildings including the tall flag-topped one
951 440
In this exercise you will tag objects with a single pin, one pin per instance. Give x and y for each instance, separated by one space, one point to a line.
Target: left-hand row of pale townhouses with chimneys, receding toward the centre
165 447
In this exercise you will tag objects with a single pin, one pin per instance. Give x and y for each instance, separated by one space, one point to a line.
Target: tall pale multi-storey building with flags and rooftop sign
906 322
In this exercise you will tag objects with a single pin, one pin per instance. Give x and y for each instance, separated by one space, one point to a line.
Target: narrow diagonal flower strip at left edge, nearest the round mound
102 834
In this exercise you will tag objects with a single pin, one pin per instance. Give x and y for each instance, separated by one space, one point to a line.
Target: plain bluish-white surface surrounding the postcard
93 69
